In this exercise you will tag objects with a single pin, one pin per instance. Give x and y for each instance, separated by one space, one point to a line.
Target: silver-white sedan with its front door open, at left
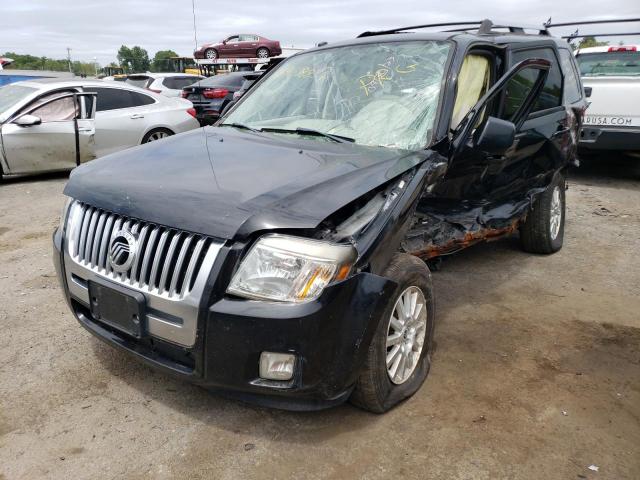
56 125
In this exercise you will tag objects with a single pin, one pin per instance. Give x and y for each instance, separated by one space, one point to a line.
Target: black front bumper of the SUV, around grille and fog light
330 338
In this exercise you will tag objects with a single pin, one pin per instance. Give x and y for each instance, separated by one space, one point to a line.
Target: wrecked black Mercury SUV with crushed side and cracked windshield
279 256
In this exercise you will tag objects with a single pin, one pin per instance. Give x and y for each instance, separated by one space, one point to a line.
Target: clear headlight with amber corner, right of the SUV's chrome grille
291 269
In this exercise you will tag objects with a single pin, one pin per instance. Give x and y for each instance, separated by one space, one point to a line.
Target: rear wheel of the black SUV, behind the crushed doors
543 229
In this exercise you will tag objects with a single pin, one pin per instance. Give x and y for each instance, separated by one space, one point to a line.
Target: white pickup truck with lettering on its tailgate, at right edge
611 78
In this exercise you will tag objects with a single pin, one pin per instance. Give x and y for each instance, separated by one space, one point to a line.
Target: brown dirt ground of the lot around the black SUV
536 373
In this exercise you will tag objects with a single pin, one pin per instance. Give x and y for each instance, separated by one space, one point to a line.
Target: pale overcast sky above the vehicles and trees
97 28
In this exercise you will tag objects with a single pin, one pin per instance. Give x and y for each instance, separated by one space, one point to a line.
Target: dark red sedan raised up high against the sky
242 45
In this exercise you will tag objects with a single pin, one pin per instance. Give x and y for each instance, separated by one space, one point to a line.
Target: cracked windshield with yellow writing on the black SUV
383 94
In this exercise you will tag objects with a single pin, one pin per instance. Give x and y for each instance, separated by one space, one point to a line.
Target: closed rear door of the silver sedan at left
121 118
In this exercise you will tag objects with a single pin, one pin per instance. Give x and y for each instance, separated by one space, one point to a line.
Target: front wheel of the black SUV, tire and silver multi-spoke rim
399 356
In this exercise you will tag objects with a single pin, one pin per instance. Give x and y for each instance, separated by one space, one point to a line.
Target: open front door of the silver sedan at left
62 139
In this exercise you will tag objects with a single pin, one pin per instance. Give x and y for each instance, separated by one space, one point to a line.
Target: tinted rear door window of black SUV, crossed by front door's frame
519 86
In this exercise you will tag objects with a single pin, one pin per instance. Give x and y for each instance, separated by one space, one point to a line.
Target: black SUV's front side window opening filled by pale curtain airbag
473 82
